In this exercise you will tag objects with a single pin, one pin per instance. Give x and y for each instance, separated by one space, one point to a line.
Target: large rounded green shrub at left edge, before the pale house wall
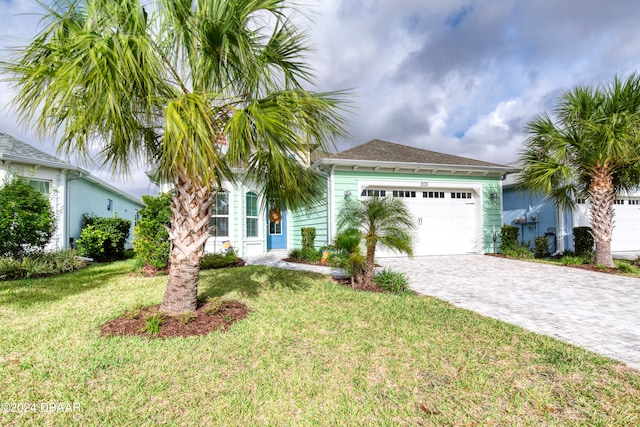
27 221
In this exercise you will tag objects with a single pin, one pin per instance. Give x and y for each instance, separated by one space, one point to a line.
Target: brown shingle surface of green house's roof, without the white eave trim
377 150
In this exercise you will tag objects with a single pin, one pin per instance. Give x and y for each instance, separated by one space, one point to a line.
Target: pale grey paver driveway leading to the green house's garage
597 311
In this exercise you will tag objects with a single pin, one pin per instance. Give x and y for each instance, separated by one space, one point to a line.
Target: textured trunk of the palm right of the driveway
601 195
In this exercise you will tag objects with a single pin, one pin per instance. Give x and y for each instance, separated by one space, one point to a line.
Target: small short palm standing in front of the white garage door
382 220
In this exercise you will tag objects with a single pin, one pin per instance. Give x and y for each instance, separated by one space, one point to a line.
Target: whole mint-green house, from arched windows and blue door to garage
455 201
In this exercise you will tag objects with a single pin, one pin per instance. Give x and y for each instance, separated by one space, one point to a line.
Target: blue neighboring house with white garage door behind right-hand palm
536 215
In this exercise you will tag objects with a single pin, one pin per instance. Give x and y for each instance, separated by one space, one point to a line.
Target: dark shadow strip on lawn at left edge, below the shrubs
24 293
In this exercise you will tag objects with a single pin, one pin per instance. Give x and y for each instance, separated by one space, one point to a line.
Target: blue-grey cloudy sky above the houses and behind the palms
460 77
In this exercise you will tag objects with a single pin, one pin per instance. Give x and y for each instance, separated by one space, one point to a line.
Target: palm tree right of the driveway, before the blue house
589 150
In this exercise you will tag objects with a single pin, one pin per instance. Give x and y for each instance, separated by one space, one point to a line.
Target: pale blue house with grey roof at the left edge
71 190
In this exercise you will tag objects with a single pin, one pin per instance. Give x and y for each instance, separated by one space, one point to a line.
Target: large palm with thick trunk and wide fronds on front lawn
161 84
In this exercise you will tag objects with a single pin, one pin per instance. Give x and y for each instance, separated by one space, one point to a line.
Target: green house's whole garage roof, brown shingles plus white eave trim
383 154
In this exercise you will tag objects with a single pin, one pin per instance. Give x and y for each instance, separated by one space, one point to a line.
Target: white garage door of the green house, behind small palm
445 220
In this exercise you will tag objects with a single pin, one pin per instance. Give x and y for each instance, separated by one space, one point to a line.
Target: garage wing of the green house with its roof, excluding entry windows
455 201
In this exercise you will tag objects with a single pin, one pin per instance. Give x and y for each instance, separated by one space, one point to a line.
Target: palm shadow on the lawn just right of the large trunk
251 280
